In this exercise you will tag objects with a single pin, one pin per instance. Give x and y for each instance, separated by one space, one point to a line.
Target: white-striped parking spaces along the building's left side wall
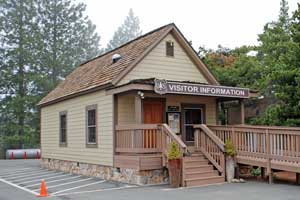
26 175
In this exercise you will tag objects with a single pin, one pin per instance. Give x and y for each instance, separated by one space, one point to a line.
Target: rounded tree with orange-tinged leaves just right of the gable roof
233 67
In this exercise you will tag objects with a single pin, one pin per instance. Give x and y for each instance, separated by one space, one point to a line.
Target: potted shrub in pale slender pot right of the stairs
230 161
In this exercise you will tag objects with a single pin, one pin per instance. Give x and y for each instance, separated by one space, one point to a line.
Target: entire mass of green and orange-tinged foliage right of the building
274 71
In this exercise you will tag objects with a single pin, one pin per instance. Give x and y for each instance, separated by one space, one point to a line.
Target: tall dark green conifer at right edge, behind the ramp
280 47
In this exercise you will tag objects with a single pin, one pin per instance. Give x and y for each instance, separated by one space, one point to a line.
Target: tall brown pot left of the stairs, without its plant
174 167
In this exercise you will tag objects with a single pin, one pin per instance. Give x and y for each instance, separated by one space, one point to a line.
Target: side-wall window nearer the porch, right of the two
91 126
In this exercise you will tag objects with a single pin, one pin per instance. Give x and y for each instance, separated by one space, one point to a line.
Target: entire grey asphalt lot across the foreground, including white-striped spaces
21 179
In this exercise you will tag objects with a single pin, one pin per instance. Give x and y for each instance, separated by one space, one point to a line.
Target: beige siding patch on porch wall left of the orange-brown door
126 109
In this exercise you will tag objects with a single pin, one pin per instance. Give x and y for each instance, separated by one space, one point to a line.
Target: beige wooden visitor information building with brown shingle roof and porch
114 116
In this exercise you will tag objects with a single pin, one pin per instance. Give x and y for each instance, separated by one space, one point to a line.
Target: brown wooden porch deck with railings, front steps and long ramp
145 146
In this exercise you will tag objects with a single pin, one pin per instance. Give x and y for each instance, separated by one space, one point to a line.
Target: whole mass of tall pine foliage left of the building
41 42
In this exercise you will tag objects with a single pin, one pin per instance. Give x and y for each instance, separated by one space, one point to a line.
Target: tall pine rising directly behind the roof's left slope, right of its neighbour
68 39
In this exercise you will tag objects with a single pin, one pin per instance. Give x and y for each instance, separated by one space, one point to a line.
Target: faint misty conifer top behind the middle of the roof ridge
129 30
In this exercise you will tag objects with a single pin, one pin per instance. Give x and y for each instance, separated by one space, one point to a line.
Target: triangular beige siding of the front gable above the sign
157 65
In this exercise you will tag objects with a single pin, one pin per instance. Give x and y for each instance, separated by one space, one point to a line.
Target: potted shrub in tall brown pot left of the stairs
174 165
